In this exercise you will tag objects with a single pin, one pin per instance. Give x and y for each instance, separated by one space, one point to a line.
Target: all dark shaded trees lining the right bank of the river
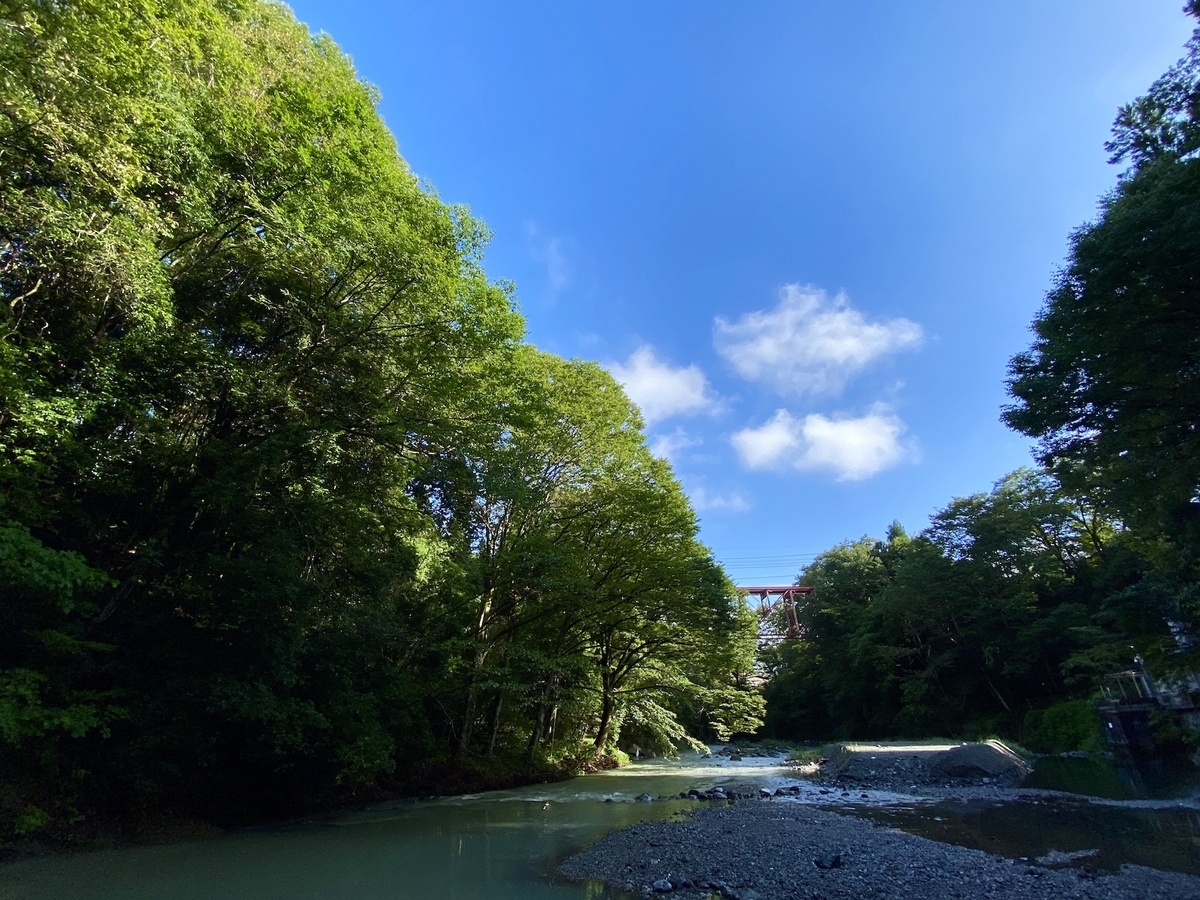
1024 598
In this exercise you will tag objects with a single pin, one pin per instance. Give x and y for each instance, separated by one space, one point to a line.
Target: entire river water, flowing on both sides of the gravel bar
503 844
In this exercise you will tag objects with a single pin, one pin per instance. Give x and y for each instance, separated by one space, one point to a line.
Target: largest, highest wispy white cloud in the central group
811 343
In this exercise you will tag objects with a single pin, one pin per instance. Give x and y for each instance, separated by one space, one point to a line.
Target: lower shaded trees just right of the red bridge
1011 601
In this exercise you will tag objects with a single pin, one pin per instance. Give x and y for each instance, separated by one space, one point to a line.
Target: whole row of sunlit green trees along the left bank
289 509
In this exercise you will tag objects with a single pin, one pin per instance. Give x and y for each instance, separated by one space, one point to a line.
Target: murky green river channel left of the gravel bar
500 847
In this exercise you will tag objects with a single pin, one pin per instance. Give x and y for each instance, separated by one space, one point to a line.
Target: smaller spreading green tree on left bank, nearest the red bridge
595 593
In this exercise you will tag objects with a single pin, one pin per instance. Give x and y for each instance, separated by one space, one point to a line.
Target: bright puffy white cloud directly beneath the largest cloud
851 448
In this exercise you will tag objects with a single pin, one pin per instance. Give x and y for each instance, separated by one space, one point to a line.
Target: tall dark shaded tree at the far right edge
1111 385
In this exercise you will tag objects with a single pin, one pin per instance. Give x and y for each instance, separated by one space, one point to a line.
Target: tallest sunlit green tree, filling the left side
235 328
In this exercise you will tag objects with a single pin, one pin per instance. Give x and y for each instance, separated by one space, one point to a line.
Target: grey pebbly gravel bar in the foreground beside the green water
781 850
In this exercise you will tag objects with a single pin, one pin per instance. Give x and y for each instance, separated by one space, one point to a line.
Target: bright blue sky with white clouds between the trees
807 236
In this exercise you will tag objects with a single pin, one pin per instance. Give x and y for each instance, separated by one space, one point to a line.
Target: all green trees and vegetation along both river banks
292 515
